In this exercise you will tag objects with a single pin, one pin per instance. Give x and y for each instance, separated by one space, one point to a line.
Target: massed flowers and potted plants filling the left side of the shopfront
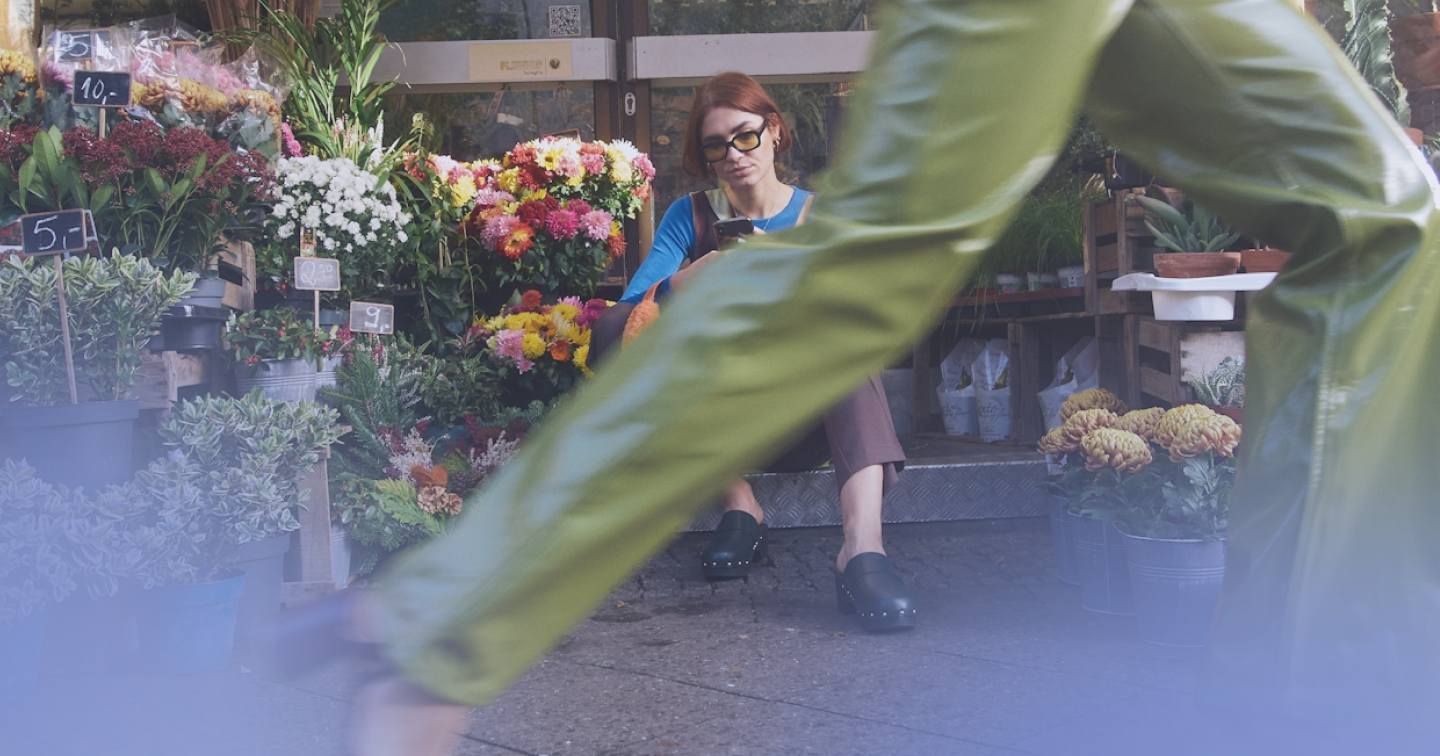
256 342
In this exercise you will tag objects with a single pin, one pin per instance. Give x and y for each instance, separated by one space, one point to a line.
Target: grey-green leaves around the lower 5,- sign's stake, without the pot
114 305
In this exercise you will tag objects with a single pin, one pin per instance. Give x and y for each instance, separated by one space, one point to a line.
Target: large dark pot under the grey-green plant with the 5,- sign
77 446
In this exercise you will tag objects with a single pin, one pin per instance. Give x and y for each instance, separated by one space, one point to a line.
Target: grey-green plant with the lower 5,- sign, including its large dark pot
114 305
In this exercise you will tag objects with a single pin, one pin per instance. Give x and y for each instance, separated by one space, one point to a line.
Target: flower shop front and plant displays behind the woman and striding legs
269 316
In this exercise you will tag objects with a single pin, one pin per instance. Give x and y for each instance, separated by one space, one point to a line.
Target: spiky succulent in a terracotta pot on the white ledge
1196 237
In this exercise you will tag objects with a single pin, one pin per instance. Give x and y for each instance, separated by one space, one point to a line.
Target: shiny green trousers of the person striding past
1243 104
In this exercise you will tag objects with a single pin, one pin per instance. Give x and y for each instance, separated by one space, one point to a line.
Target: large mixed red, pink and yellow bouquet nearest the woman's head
549 215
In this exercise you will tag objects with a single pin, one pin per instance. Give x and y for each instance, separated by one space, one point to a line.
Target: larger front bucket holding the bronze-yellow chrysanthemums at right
1177 587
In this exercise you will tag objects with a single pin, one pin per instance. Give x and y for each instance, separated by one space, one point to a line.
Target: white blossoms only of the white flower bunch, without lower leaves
339 202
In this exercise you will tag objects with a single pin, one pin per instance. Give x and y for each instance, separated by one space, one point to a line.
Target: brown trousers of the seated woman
853 436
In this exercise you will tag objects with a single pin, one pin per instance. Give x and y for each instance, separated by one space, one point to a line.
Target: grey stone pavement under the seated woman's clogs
1003 663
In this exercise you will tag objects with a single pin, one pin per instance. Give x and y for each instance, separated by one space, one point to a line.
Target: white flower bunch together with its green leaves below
354 217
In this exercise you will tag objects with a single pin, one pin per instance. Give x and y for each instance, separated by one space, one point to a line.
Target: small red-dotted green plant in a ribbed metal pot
279 352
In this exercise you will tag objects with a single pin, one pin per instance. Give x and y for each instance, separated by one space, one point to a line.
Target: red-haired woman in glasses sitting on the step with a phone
735 135
